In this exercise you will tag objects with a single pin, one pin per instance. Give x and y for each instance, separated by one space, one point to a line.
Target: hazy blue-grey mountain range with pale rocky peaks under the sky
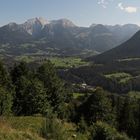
61 37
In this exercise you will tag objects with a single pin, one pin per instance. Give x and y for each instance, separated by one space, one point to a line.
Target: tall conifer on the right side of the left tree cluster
53 85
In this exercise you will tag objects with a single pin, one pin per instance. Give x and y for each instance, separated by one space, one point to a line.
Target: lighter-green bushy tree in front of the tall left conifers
37 101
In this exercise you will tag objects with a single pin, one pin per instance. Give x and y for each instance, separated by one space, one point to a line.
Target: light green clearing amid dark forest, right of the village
121 77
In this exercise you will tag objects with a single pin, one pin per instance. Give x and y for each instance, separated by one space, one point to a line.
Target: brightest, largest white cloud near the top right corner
128 9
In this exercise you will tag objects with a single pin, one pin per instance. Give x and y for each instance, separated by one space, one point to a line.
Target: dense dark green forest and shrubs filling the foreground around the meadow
98 115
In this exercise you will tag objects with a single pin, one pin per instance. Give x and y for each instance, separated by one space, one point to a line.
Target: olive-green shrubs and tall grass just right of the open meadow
55 129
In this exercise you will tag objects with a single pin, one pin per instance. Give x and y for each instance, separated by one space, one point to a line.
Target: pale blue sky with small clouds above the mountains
80 12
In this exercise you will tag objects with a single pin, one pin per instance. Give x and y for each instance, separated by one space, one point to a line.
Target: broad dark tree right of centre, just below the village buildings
98 107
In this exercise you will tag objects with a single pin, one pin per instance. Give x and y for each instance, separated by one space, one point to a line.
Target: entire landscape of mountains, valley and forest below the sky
59 81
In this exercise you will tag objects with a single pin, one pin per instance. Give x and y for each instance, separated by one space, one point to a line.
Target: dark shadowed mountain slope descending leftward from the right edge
128 50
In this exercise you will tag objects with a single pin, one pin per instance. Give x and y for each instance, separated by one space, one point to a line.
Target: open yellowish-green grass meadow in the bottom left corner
21 128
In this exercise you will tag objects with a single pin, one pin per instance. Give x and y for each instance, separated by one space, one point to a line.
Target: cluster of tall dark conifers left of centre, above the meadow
36 92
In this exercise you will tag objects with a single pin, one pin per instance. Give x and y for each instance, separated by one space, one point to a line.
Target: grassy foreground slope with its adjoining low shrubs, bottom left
32 128
